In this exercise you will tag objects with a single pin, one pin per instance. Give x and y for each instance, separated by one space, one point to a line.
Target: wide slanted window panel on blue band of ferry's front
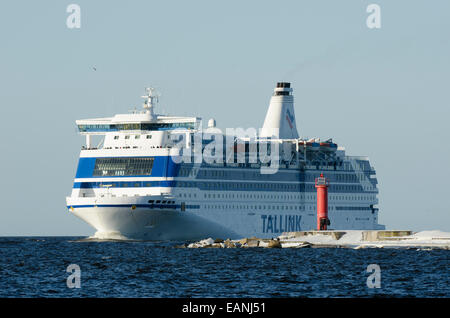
122 166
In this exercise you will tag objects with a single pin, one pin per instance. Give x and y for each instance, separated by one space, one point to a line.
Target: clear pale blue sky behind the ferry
382 92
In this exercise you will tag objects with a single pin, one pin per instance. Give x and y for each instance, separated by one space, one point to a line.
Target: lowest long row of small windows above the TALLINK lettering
272 196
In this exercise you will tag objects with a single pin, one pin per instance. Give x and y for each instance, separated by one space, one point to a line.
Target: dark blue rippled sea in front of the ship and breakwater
37 267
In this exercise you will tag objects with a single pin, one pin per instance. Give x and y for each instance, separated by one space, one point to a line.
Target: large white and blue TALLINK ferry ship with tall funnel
161 177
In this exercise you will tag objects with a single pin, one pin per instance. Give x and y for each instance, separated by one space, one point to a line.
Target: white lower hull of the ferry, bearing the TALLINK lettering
126 218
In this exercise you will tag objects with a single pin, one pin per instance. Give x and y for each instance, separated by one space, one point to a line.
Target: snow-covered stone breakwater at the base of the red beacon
336 239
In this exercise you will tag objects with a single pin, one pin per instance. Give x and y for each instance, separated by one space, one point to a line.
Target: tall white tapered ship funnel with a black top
280 114
